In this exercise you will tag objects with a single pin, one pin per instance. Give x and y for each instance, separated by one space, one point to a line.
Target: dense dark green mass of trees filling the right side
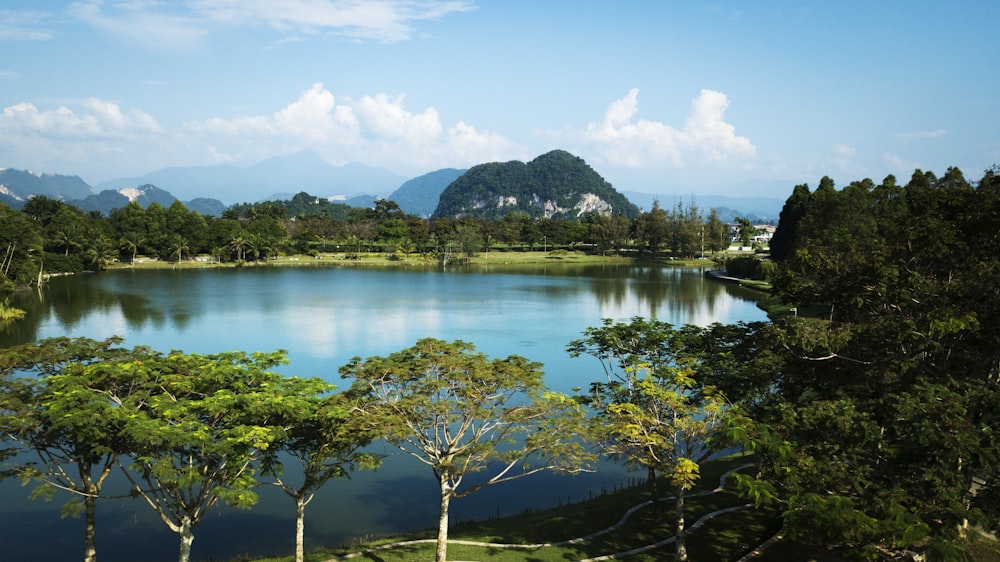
881 426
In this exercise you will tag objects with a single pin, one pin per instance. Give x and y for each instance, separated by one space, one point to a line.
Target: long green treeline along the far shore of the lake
52 236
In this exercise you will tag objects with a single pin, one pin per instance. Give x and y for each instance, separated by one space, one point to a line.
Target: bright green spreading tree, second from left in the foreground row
204 423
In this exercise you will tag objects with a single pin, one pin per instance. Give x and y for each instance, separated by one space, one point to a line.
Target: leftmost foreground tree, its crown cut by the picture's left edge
71 414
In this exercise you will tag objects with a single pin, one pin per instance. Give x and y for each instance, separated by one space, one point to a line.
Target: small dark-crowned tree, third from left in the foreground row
325 435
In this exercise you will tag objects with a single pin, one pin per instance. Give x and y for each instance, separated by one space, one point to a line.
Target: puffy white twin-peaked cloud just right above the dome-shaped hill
622 139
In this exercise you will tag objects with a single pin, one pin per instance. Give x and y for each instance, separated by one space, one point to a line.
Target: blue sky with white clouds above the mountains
665 97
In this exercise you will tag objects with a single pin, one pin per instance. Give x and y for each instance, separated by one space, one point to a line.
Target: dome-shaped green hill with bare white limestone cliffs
556 184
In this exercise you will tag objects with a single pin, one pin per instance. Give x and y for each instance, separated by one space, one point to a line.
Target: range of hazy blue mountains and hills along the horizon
211 189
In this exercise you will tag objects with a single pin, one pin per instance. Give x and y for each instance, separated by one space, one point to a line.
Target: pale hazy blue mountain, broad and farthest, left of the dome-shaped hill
302 171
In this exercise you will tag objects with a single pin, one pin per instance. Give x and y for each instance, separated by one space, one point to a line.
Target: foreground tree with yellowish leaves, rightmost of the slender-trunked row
654 412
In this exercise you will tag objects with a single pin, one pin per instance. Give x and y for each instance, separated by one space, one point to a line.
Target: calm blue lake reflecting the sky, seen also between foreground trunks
323 316
